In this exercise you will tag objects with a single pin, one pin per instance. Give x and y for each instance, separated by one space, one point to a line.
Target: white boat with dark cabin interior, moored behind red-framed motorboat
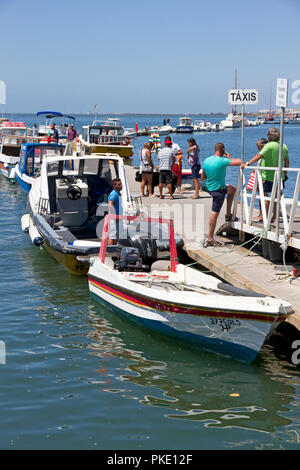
67 203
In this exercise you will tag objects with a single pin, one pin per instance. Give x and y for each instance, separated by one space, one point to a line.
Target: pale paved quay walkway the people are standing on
235 263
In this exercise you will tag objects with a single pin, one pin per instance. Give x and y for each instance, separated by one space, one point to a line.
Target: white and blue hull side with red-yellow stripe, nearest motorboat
238 335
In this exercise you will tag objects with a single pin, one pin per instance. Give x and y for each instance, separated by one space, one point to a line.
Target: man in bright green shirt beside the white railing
269 157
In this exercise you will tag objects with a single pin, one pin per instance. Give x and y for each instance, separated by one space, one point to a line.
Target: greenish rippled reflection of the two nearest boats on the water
129 362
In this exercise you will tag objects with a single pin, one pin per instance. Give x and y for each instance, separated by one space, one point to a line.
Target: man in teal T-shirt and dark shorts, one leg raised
214 170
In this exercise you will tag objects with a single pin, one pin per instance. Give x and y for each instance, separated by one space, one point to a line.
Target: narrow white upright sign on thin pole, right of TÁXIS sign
281 101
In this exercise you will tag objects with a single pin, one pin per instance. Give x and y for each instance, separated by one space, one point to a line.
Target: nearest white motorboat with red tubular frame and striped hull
178 300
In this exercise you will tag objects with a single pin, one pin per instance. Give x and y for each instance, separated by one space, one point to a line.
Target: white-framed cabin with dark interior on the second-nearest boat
74 191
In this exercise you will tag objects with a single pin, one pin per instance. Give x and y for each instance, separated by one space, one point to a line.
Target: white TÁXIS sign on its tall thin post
242 97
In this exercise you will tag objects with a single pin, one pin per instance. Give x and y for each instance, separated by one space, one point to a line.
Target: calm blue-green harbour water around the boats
77 376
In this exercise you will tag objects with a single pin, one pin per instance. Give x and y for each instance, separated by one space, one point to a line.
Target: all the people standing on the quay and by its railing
214 172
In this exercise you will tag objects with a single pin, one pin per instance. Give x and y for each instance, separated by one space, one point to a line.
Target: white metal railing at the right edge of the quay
286 228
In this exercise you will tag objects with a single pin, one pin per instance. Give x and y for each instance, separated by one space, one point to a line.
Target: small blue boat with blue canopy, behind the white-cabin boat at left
31 157
